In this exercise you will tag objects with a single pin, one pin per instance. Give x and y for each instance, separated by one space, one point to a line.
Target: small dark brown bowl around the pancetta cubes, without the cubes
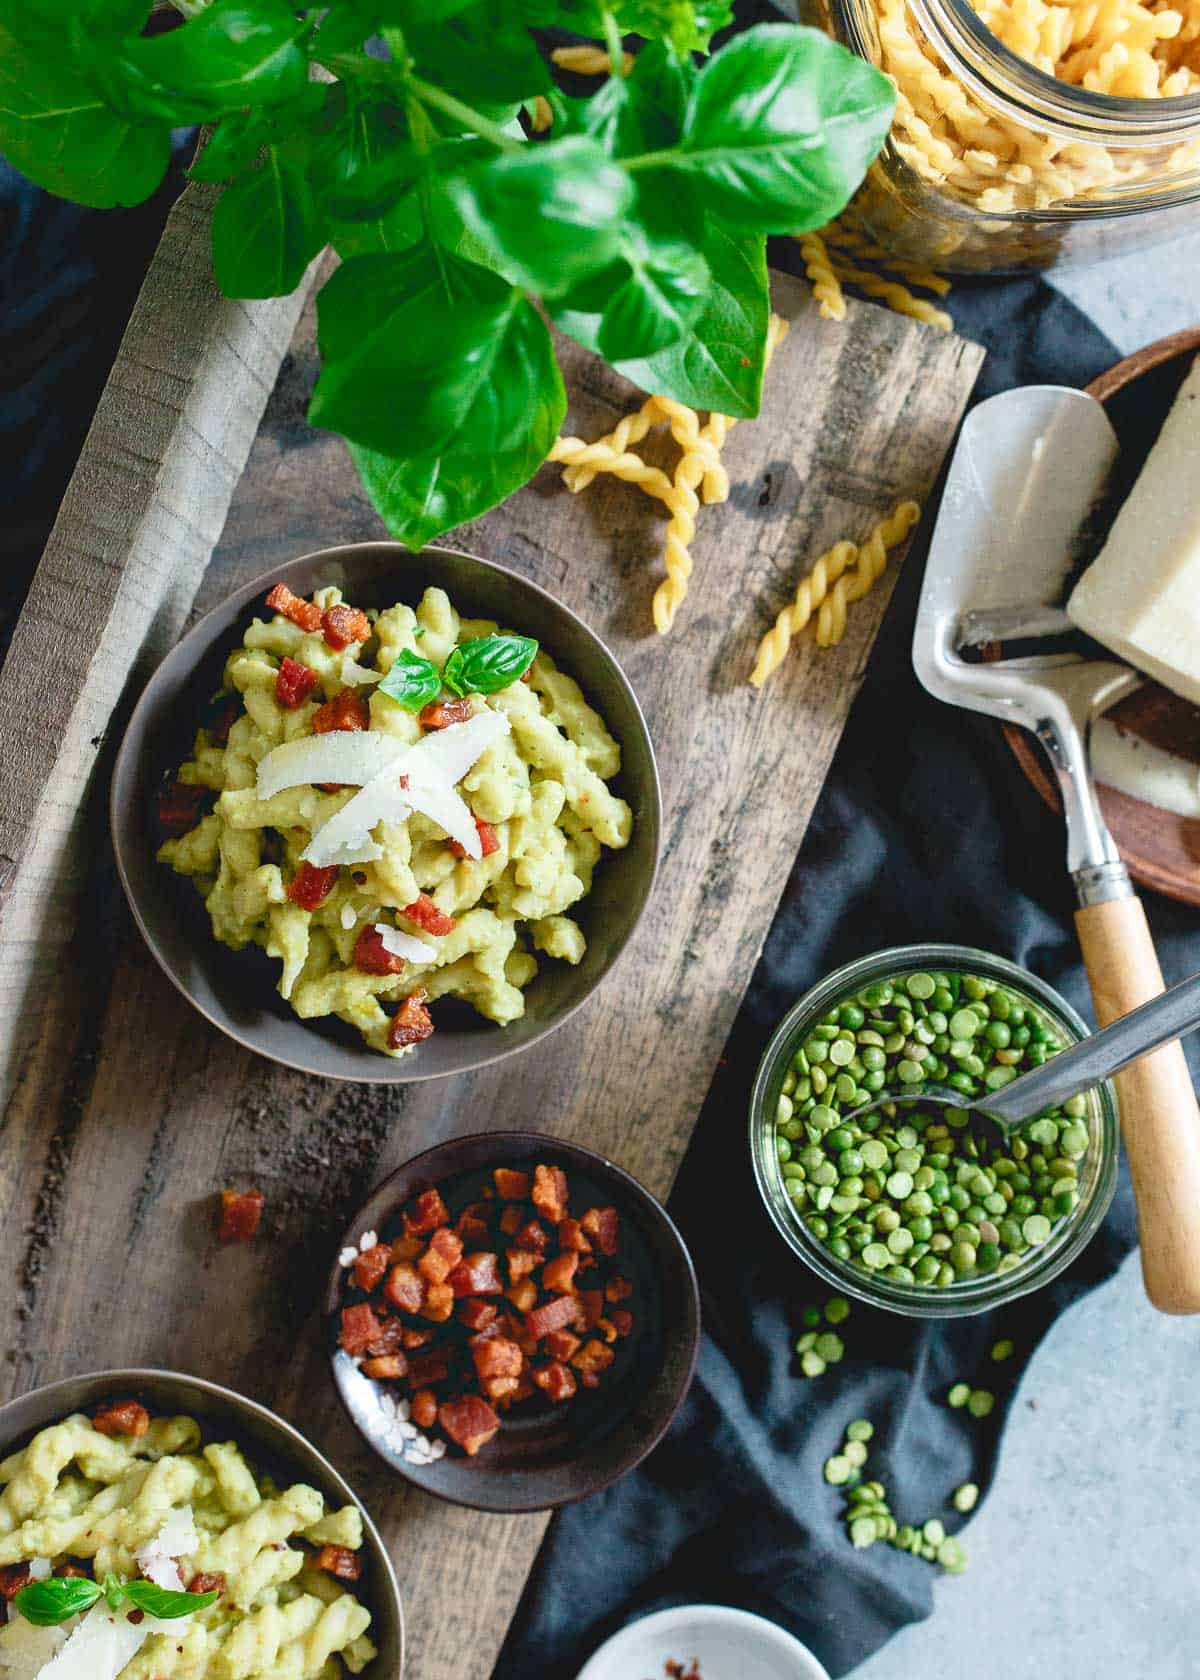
545 1454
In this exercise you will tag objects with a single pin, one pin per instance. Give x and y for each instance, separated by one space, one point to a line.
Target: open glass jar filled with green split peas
913 1205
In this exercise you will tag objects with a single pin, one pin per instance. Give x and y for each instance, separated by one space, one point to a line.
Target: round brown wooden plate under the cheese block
1161 848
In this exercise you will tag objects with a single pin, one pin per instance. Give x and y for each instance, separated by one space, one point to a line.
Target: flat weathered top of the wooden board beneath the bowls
162 1113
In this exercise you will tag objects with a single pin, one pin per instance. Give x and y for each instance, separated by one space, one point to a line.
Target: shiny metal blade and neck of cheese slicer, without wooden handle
1029 471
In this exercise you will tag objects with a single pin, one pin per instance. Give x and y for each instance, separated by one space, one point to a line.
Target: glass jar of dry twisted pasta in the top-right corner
1029 134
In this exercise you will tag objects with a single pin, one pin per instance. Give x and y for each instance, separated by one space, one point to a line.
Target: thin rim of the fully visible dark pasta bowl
404 1071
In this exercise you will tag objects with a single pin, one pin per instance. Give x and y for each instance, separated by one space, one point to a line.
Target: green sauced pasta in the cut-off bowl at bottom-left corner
166 1520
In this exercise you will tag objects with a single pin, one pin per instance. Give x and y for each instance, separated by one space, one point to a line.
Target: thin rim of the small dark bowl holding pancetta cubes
591 1160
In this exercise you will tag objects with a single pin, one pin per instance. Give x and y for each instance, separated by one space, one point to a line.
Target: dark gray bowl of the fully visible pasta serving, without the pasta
236 989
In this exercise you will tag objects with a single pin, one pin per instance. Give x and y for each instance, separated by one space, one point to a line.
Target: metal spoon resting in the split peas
1070 1073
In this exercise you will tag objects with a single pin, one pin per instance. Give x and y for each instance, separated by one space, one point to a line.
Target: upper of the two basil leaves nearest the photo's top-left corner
231 55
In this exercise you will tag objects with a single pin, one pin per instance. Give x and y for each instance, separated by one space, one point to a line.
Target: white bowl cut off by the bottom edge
725 1644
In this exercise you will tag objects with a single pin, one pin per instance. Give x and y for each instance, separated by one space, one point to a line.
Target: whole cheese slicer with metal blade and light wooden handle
1018 517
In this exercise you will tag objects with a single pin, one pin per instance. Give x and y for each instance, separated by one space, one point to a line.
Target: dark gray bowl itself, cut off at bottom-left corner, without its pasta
273 1444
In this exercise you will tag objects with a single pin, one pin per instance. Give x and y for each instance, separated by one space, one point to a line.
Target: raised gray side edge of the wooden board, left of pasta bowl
120 570
